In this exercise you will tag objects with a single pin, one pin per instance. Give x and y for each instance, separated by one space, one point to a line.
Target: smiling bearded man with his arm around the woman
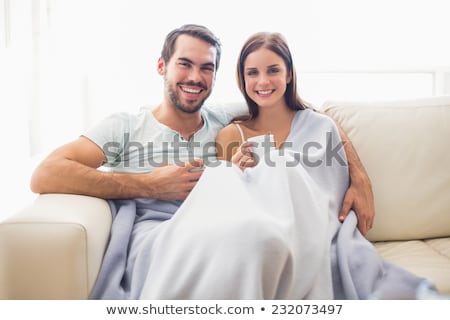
189 61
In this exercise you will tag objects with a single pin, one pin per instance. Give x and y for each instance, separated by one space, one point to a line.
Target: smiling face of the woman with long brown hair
266 77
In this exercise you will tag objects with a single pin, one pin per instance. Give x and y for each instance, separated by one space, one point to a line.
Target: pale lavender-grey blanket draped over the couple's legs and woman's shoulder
269 232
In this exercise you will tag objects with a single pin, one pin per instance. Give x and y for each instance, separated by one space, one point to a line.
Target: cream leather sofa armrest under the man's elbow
53 249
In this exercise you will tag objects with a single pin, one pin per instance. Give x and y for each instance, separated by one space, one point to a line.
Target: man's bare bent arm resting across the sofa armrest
72 169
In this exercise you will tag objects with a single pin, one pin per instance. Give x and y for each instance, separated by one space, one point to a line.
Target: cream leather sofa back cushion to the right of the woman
405 148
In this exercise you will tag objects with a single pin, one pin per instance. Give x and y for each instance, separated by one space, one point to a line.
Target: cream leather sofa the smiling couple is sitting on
53 248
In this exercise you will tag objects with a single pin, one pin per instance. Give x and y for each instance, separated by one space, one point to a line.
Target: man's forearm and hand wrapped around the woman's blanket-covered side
359 195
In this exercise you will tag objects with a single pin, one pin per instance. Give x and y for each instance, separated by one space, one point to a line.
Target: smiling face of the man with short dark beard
189 74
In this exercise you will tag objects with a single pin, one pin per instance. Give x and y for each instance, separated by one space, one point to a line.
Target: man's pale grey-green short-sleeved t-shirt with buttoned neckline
137 143
